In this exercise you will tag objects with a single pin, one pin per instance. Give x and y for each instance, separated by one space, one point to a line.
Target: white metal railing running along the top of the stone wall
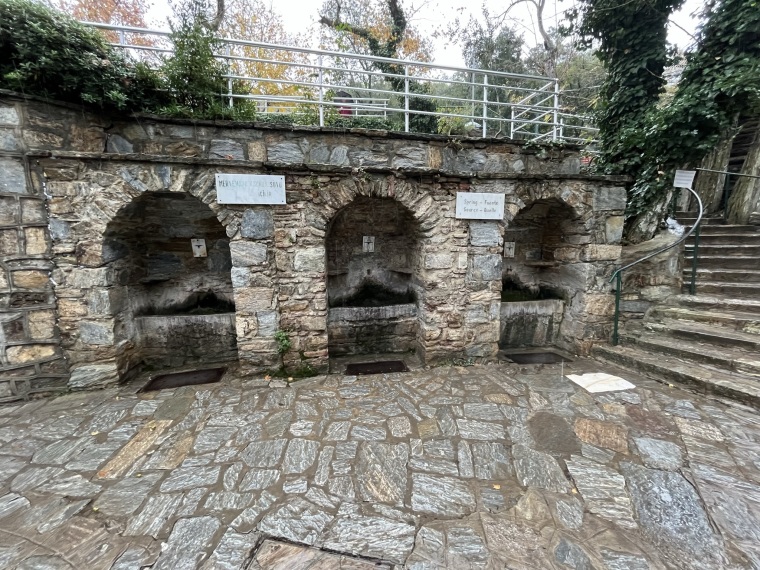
410 95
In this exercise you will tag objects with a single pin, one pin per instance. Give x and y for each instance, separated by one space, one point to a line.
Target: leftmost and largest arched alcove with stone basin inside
171 260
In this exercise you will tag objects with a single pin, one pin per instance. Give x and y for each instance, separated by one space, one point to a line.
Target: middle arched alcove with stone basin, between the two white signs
373 257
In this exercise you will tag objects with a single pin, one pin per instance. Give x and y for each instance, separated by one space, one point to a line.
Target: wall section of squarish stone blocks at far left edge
31 360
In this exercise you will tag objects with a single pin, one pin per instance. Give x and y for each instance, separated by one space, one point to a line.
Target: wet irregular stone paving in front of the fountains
494 466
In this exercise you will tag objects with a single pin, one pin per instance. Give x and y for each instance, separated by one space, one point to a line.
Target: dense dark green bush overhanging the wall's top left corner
44 52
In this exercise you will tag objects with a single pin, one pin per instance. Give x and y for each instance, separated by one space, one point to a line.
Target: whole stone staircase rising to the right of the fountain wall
709 341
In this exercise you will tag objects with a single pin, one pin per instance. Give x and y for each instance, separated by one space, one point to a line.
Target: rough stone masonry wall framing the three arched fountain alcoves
82 253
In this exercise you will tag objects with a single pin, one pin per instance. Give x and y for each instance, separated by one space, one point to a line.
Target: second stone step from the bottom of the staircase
730 359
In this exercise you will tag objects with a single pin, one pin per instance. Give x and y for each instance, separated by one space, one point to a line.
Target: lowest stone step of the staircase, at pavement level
700 377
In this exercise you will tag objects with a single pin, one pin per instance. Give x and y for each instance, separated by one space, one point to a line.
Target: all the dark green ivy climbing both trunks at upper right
646 139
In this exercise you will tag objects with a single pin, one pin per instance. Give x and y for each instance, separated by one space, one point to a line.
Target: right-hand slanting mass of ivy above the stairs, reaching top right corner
721 81
